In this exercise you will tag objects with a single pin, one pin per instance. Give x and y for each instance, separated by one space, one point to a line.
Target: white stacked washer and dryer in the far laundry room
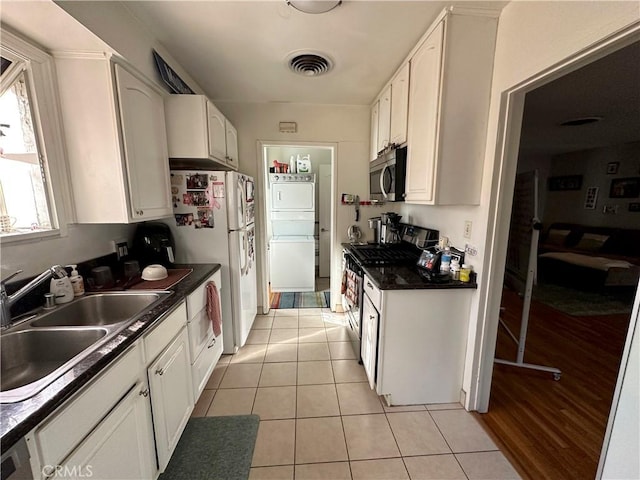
292 245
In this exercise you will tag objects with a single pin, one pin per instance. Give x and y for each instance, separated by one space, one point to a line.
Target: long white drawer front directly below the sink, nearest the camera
59 435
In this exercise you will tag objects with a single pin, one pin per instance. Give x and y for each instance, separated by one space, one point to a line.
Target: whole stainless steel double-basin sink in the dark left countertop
49 343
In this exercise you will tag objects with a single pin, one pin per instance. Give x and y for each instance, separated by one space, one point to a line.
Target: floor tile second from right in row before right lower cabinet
417 434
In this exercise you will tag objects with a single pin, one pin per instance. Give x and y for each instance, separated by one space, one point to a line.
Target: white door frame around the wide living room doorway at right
499 218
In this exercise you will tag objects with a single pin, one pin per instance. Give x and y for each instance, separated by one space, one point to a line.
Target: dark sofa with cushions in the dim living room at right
589 258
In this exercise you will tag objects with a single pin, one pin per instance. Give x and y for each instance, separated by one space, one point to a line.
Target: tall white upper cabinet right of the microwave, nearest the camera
449 98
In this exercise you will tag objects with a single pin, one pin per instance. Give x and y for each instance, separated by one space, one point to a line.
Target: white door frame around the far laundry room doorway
263 171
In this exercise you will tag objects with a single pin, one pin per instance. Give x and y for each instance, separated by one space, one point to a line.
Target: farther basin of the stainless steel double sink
99 309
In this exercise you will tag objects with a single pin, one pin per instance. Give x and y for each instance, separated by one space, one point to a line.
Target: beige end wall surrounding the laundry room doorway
345 126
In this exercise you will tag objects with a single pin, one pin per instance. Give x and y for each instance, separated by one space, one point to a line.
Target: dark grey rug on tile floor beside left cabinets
214 448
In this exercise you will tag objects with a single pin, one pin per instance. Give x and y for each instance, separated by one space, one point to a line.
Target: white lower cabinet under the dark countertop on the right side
415 349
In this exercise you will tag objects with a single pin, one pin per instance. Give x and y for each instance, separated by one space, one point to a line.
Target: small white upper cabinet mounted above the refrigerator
198 133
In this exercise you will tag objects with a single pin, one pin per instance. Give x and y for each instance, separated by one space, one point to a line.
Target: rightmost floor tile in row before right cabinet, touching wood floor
462 432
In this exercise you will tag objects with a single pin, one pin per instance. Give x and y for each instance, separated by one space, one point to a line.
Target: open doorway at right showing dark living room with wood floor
572 268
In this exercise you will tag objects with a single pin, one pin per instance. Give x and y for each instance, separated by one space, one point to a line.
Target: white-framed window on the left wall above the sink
33 185
